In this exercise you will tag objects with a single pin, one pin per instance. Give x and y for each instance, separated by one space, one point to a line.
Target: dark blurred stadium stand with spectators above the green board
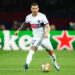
53 9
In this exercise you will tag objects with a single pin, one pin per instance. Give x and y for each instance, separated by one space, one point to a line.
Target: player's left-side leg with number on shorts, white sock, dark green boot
34 45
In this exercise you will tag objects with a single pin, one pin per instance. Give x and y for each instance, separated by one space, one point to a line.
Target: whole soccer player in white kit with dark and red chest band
41 28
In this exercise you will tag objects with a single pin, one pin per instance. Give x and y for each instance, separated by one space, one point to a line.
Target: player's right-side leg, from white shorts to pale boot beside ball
46 43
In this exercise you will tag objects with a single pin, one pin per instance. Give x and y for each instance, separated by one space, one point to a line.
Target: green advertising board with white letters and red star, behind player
60 40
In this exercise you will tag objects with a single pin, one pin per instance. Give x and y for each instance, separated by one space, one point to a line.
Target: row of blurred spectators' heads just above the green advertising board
16 24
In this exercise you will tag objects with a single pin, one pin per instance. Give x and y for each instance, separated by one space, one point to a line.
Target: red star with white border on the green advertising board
64 41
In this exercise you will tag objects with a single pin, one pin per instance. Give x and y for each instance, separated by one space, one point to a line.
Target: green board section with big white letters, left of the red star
8 40
